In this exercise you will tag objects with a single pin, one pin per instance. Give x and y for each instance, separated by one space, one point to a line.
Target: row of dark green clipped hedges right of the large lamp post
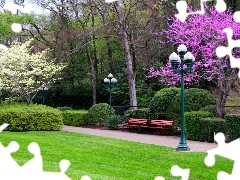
201 125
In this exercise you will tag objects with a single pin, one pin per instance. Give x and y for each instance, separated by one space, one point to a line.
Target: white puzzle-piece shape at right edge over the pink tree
222 51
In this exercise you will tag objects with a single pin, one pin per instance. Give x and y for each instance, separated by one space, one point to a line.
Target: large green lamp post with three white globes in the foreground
184 58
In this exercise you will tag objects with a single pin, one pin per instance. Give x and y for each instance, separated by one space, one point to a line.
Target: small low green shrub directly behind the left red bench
135 113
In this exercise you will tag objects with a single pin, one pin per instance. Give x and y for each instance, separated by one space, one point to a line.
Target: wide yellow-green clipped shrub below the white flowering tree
23 117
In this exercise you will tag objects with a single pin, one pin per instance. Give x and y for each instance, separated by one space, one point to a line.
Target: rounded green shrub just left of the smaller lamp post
98 114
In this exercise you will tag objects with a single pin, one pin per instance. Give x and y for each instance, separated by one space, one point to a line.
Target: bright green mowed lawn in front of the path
111 159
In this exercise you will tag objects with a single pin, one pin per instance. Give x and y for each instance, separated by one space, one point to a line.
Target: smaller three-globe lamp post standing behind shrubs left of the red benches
110 83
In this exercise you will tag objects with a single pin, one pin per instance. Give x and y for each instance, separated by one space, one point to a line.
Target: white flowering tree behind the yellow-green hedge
22 72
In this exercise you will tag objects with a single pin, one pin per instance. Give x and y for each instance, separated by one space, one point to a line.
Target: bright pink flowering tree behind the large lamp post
202 34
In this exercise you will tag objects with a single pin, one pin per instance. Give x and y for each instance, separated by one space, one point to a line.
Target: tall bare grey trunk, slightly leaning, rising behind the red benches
130 72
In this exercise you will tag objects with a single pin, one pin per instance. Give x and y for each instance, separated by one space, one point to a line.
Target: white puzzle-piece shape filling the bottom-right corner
229 151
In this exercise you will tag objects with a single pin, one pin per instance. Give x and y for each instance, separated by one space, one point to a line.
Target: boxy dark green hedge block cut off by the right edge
232 126
